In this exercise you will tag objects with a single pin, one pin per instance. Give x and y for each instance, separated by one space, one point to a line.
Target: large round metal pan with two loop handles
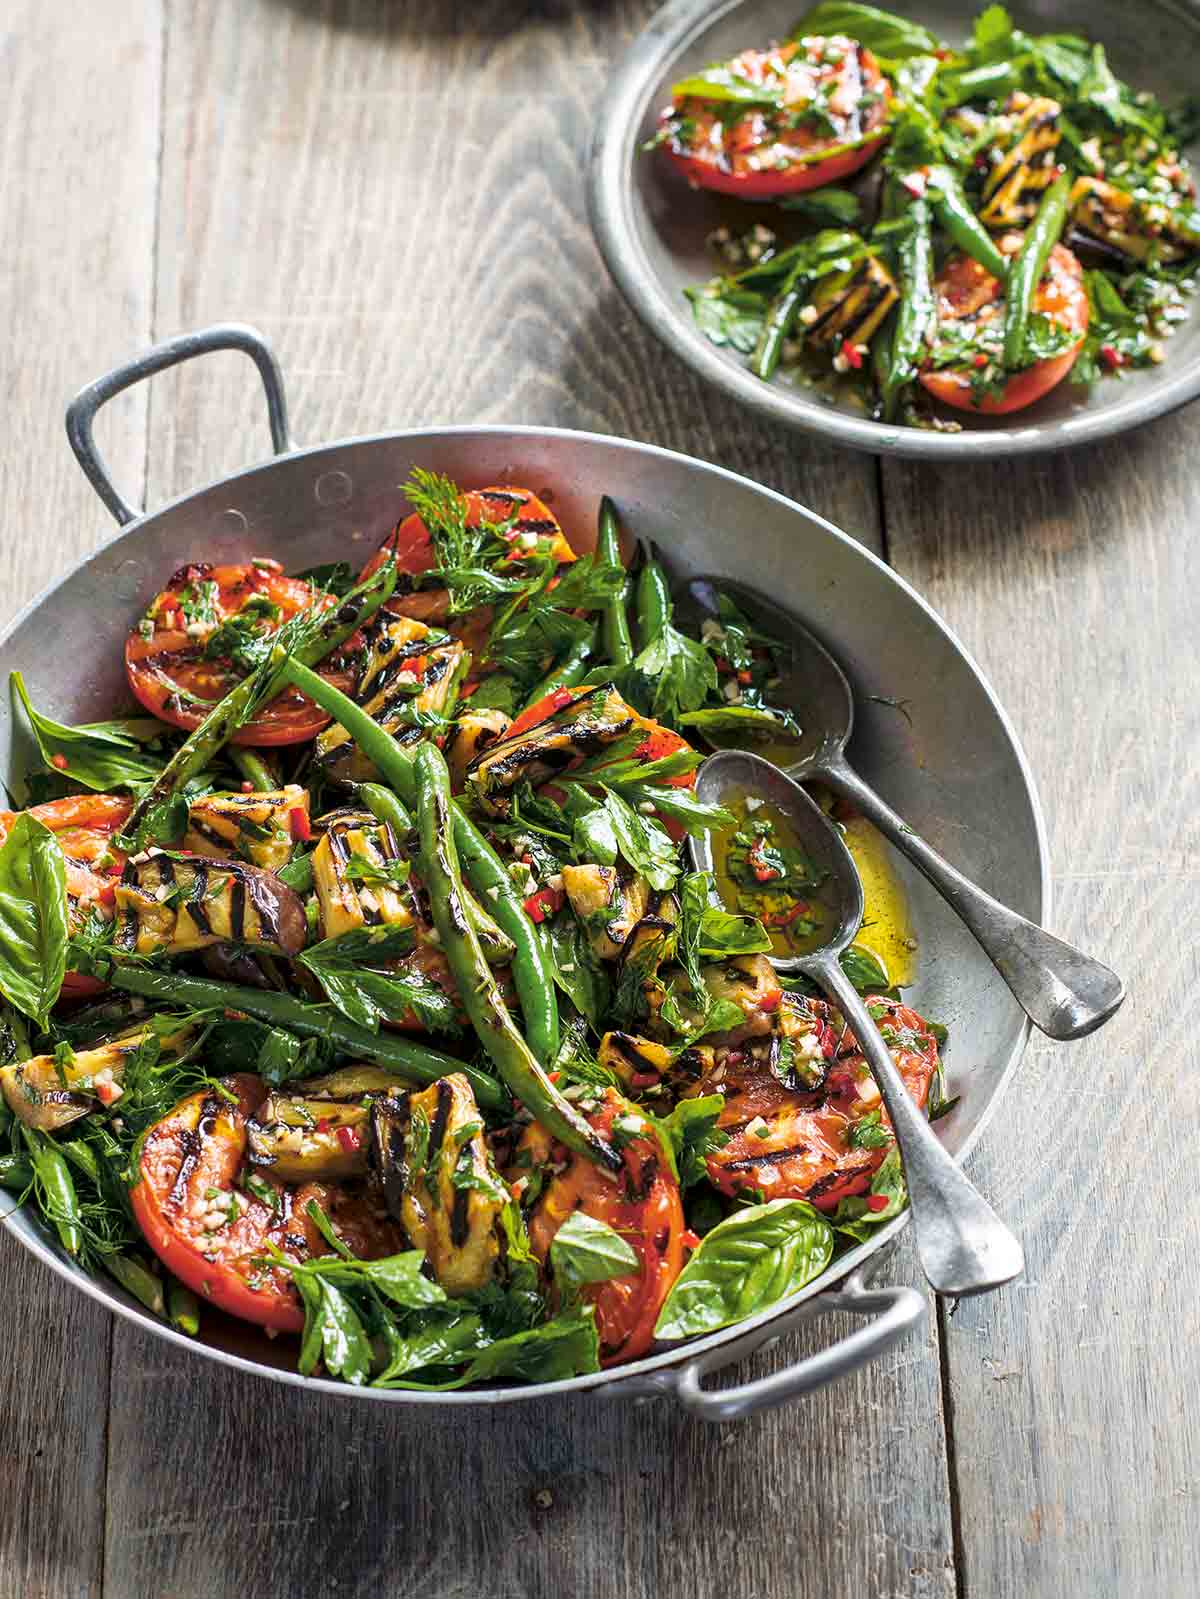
956 772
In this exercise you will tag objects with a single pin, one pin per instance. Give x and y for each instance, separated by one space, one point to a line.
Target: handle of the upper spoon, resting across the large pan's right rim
1060 989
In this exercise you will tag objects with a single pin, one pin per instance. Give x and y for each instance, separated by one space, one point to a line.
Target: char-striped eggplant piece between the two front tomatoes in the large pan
439 1182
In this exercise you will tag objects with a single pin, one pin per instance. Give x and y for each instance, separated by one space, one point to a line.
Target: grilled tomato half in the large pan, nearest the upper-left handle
175 682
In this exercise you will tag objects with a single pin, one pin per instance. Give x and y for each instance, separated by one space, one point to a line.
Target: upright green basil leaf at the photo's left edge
33 919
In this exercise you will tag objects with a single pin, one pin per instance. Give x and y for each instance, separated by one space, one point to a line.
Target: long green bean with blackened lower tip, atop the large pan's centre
474 981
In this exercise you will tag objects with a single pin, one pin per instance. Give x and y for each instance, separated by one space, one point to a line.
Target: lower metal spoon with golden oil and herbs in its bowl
962 1245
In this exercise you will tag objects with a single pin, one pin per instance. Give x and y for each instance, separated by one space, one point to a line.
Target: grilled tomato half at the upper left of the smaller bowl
770 151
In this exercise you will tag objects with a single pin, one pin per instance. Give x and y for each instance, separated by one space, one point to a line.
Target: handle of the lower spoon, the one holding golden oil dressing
962 1243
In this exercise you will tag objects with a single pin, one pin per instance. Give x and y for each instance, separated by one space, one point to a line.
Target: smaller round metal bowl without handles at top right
652 228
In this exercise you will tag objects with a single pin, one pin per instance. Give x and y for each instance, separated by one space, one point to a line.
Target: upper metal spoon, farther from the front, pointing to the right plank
1062 991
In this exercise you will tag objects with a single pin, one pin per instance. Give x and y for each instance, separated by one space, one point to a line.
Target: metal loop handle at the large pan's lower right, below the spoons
897 1312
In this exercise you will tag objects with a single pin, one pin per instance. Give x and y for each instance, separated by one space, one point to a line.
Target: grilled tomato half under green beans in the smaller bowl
967 293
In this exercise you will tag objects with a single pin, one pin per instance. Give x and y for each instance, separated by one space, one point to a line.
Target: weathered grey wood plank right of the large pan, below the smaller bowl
1073 580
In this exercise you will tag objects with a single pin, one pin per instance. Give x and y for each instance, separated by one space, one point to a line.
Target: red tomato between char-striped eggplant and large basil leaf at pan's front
644 1206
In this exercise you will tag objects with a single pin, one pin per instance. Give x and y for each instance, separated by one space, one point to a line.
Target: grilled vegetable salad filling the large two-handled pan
362 989
